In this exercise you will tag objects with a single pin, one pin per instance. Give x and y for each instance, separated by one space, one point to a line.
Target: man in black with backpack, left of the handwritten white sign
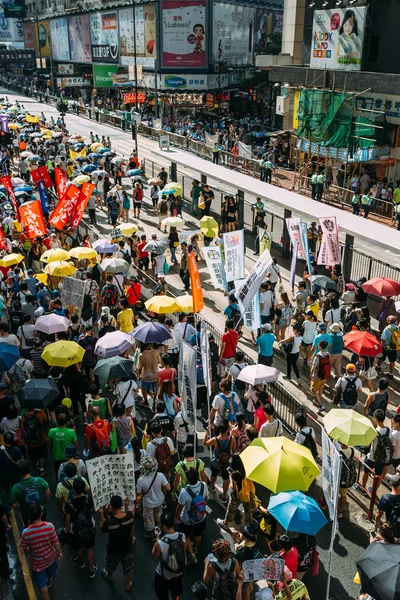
80 525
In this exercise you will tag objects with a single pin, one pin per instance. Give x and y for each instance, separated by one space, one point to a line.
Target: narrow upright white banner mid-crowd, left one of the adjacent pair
187 381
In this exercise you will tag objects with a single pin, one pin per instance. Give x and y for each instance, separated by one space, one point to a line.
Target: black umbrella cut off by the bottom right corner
379 570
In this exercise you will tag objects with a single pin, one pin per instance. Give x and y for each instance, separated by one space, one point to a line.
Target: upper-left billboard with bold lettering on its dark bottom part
104 37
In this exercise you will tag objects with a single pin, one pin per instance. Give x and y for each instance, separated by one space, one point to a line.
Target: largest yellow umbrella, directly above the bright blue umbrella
279 464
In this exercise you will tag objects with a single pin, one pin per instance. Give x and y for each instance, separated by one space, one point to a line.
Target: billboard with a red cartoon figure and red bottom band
184 35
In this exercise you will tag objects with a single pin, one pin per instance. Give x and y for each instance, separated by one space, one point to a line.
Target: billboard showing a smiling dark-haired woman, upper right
337 39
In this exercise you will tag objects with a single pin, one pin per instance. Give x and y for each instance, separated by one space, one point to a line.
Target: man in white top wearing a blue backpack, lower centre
191 511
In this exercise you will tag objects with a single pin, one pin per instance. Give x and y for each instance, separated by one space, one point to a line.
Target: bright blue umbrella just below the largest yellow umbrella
297 512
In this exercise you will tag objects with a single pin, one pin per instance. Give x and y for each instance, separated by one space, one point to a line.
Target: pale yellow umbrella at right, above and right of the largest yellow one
349 427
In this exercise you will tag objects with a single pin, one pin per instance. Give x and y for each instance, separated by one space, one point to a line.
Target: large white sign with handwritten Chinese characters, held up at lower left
109 476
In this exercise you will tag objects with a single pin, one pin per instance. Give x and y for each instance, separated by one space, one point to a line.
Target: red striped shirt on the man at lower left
40 541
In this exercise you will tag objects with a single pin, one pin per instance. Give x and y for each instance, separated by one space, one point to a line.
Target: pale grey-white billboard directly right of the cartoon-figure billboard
233 34
